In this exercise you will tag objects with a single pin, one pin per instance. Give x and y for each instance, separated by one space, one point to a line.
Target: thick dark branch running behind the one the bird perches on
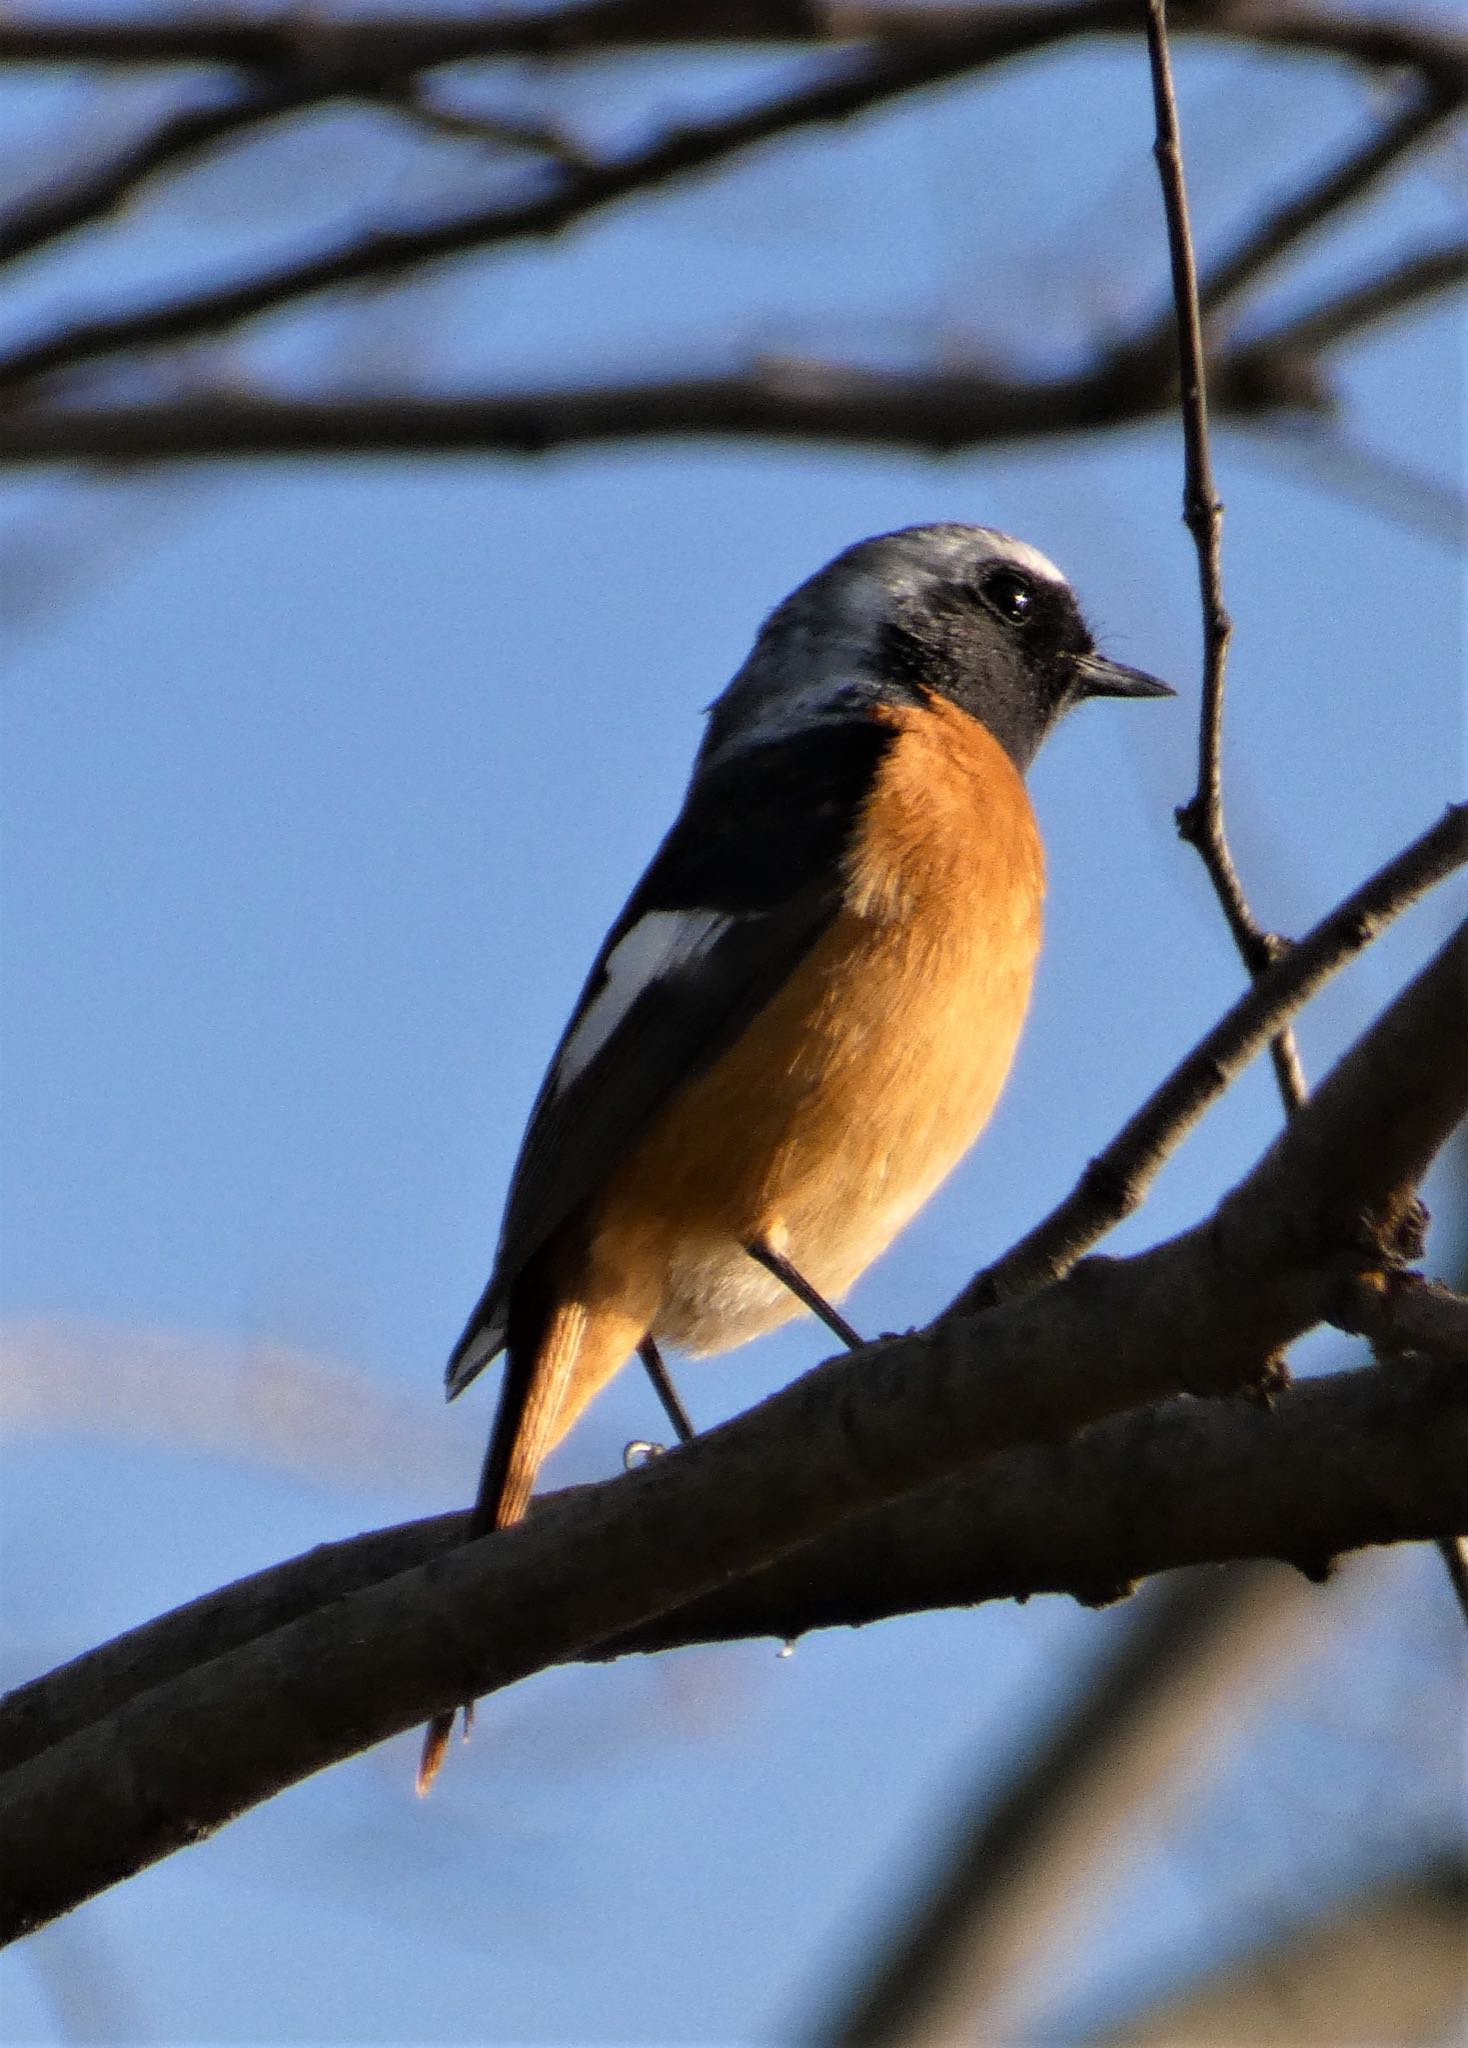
1367 1457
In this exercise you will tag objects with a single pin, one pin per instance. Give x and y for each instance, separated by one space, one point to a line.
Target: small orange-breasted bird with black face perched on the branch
806 1013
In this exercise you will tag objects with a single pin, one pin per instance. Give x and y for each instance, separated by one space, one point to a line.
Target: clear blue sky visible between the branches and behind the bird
320 790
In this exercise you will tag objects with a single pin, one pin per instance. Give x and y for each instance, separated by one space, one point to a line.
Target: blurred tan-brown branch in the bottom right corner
1383 1967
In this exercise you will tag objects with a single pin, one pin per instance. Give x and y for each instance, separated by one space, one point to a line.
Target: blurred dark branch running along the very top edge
421 42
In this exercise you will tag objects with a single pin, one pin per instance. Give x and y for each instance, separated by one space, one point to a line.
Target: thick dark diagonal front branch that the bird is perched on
1205 1314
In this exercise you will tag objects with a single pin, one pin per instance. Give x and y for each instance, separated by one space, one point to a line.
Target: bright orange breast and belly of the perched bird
867 1078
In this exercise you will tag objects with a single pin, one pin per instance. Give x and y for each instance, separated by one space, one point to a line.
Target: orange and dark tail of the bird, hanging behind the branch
556 1363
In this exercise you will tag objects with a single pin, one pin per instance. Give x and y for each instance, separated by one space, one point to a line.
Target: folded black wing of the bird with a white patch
736 896
